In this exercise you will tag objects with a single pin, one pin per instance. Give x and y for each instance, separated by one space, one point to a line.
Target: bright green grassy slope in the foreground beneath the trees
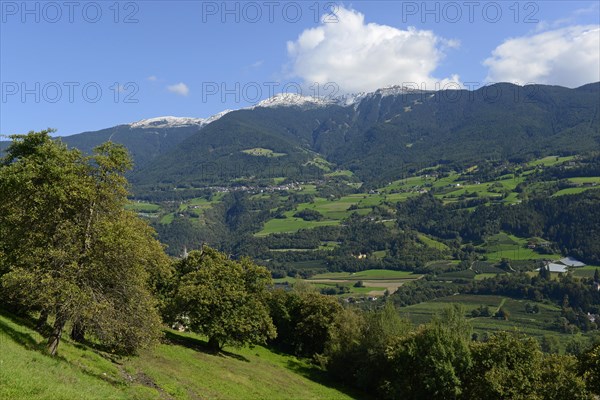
179 368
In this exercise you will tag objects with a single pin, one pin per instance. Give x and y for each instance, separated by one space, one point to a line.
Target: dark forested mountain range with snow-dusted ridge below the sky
379 136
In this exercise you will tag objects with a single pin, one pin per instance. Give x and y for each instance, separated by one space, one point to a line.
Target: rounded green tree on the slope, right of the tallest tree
223 299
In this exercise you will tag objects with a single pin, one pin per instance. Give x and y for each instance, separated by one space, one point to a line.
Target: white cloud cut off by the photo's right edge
568 57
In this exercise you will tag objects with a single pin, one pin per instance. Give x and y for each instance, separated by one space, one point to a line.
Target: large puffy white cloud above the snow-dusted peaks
363 57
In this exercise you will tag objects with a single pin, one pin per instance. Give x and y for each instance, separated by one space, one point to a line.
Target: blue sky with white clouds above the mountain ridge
81 66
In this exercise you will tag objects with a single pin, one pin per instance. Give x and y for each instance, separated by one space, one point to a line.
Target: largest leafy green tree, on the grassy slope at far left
70 249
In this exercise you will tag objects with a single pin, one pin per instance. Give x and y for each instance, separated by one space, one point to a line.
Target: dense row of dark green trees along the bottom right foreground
380 353
